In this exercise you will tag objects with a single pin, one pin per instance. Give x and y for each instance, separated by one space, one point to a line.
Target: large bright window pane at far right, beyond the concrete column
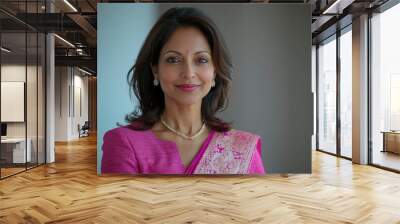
386 88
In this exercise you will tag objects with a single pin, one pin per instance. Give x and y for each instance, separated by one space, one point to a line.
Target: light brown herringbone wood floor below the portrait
70 191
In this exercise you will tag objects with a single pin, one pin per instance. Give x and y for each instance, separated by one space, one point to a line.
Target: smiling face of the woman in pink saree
185 69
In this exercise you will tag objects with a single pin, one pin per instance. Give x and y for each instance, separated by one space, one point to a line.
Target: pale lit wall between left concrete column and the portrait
70 83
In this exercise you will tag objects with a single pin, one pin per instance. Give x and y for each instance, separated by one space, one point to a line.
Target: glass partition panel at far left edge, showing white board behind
13 89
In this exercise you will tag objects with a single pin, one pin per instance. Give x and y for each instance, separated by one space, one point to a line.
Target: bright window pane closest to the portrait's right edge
327 96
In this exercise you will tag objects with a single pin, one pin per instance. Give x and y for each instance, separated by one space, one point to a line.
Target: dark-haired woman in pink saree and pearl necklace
181 79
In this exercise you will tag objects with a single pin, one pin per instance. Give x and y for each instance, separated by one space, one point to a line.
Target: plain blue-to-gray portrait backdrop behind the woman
270 45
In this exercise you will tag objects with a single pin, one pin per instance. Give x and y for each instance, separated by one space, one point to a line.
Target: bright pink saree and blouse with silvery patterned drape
141 152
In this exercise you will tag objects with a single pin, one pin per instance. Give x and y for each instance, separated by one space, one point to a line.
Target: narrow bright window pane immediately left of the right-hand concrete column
346 93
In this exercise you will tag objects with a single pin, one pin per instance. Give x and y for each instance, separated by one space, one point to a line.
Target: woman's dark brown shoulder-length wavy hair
140 76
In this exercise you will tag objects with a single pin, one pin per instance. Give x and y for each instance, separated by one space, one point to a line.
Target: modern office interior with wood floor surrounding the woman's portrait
49 126
